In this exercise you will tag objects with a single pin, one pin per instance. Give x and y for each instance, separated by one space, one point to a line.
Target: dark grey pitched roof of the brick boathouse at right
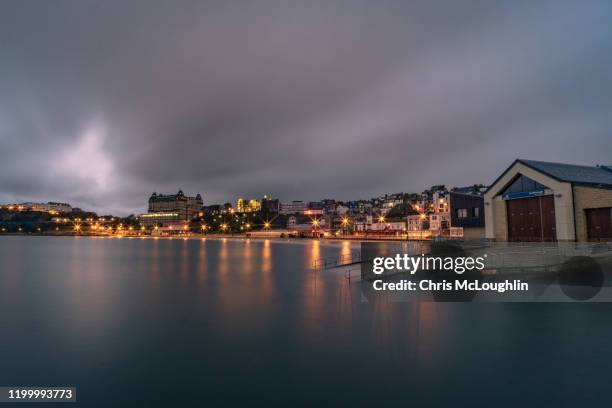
572 173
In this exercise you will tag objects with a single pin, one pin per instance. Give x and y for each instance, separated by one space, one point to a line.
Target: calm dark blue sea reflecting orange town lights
193 323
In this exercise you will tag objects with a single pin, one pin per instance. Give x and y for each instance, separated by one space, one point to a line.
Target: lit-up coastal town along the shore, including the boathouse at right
530 201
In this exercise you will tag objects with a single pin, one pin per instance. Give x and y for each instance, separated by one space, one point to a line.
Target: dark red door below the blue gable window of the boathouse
532 219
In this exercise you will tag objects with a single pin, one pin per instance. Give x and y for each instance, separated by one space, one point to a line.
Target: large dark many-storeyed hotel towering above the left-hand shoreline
171 210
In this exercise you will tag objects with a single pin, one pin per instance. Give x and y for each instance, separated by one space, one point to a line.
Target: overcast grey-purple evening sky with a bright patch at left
104 102
